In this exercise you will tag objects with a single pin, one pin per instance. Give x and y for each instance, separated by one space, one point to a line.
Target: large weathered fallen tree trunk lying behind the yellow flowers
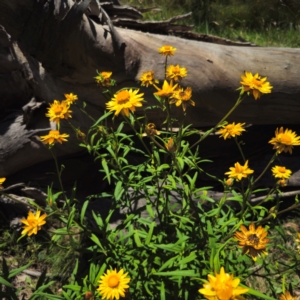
48 48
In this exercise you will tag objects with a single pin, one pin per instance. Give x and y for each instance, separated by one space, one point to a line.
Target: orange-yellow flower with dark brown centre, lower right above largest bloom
253 241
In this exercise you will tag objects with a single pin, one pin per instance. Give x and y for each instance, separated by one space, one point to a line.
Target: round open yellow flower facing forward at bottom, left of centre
112 285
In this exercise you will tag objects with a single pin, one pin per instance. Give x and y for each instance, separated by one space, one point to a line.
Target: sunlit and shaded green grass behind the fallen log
255 22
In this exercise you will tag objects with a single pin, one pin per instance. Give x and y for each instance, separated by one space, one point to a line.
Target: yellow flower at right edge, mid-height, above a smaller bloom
285 140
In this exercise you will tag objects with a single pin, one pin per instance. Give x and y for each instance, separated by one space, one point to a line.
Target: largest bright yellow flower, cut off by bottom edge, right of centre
222 287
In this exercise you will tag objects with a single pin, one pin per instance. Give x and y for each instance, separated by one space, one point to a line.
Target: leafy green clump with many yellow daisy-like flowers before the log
186 247
